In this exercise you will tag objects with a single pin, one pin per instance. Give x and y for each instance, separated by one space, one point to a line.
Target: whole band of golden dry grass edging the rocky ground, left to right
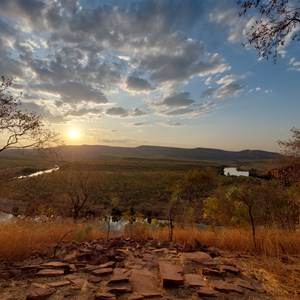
277 253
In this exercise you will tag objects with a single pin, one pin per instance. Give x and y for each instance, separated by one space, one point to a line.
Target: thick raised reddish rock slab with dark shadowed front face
169 274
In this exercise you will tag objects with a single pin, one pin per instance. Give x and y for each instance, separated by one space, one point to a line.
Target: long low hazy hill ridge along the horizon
148 152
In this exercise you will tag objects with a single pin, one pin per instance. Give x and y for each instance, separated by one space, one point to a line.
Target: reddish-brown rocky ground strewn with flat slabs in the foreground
124 269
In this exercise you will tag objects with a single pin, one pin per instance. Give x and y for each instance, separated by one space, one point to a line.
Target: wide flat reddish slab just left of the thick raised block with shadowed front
142 281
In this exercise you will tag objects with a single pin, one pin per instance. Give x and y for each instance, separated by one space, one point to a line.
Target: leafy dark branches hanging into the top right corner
280 20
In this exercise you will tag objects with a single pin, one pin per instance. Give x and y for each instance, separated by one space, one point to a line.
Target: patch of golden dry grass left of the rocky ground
21 239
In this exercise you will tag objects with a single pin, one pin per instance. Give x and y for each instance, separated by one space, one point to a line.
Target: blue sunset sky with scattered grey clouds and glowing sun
149 72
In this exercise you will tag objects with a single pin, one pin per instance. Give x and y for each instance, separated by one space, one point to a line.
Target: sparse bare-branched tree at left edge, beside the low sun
21 129
